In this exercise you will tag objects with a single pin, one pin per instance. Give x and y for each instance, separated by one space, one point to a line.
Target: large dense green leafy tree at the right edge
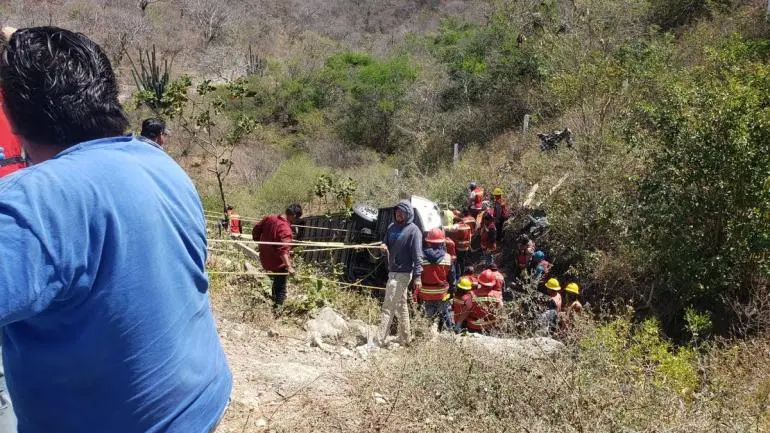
703 206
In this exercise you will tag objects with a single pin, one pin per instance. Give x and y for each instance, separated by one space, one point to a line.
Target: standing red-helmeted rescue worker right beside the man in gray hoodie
437 272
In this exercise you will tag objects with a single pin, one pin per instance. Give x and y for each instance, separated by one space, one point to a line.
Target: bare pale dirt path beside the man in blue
282 384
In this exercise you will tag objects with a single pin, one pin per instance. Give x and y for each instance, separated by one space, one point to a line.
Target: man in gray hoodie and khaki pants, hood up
403 244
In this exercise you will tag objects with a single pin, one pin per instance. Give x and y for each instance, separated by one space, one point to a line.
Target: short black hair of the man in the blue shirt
59 88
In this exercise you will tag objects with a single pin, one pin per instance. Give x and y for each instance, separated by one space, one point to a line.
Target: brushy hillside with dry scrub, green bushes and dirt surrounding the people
662 212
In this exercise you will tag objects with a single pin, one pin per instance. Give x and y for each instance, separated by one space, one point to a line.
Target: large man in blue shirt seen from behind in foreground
103 292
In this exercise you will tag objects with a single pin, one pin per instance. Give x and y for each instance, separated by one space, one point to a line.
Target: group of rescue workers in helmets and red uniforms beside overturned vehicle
461 299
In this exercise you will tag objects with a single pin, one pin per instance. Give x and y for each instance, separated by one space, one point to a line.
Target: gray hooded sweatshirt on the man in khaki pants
404 243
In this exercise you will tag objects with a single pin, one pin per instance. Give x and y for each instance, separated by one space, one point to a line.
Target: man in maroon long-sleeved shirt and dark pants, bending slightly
275 256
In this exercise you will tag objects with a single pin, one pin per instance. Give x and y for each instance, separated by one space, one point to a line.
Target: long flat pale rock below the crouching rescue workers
529 348
